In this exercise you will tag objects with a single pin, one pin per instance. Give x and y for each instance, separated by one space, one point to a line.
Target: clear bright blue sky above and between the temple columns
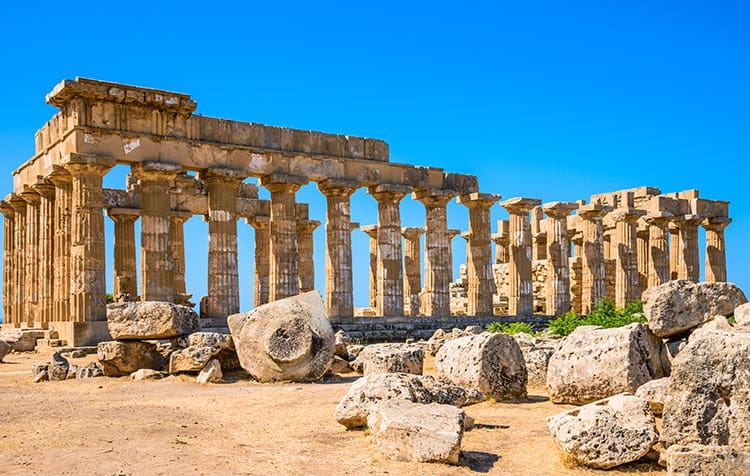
555 100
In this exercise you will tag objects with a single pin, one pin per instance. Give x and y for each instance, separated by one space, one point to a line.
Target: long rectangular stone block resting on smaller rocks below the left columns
150 320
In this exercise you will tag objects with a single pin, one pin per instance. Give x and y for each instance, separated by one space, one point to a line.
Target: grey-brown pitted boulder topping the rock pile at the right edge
678 306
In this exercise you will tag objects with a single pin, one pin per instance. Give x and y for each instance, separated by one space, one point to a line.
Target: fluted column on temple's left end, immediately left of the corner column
62 244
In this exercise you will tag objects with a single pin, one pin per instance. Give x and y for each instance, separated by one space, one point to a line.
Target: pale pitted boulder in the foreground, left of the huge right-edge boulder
606 433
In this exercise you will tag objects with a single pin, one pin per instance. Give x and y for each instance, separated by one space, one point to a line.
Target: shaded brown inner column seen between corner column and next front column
125 280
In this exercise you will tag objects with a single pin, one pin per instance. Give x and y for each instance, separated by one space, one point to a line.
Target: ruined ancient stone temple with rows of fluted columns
548 258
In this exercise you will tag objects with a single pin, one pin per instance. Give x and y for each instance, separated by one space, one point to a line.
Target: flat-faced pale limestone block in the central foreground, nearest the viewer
406 431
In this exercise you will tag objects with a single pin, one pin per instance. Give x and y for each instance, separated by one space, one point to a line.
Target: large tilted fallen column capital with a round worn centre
288 339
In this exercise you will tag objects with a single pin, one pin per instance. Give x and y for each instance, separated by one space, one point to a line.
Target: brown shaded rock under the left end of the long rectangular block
119 358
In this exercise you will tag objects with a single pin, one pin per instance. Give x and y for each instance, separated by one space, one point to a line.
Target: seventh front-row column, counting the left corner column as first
435 297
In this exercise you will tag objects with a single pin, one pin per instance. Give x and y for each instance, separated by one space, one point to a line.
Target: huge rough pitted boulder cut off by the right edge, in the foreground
708 400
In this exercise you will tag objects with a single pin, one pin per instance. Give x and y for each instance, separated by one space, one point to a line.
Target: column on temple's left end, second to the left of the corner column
46 193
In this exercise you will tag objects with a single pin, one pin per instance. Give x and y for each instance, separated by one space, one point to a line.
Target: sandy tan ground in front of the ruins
109 426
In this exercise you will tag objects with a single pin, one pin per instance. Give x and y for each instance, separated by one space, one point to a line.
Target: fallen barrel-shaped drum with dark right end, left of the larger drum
492 363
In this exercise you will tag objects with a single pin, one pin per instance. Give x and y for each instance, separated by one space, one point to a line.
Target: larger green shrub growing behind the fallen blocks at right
605 314
